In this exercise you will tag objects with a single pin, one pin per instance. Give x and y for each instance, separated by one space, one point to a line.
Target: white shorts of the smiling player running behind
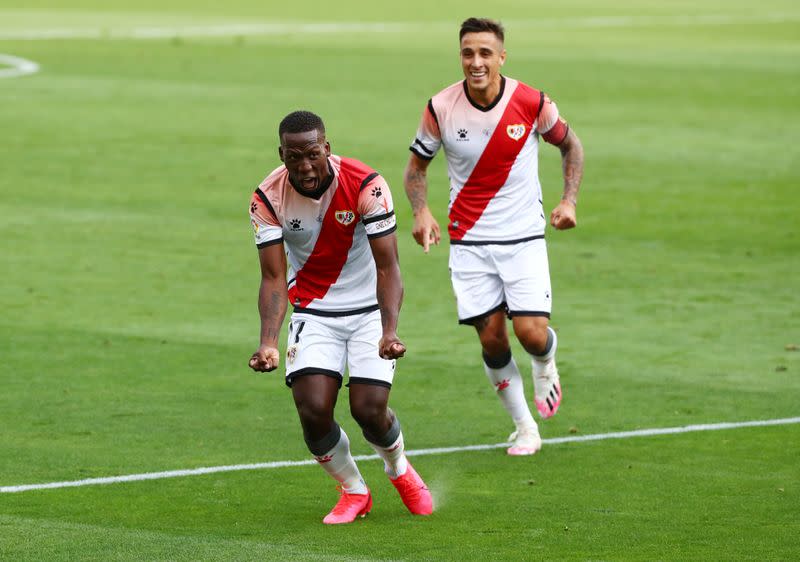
491 277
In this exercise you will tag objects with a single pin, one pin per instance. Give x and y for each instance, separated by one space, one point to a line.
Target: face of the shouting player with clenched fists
306 158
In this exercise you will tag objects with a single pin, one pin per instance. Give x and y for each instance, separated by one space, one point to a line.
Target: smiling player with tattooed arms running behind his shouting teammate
489 126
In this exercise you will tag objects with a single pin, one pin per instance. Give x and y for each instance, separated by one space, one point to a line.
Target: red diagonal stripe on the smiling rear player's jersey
494 165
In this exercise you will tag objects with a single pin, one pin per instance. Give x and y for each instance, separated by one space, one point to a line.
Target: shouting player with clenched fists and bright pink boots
332 219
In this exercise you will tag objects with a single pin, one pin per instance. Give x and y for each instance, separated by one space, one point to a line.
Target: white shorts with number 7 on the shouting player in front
326 344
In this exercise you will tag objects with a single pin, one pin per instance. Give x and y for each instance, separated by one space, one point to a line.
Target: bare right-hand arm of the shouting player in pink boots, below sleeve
390 293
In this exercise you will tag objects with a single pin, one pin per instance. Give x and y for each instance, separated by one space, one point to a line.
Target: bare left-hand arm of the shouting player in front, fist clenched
272 295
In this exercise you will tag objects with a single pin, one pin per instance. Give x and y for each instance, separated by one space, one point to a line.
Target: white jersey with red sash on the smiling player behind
492 159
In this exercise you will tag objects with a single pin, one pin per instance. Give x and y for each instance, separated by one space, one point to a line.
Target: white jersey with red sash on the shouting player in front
326 236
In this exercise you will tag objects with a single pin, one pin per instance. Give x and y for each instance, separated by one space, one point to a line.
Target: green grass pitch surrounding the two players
129 281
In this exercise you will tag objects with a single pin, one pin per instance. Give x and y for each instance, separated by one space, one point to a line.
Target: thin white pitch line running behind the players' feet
414 453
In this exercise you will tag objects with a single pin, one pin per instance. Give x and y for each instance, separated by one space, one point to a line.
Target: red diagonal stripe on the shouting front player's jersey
324 265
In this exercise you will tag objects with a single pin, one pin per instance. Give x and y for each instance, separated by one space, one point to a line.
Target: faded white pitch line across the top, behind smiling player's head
305 28
